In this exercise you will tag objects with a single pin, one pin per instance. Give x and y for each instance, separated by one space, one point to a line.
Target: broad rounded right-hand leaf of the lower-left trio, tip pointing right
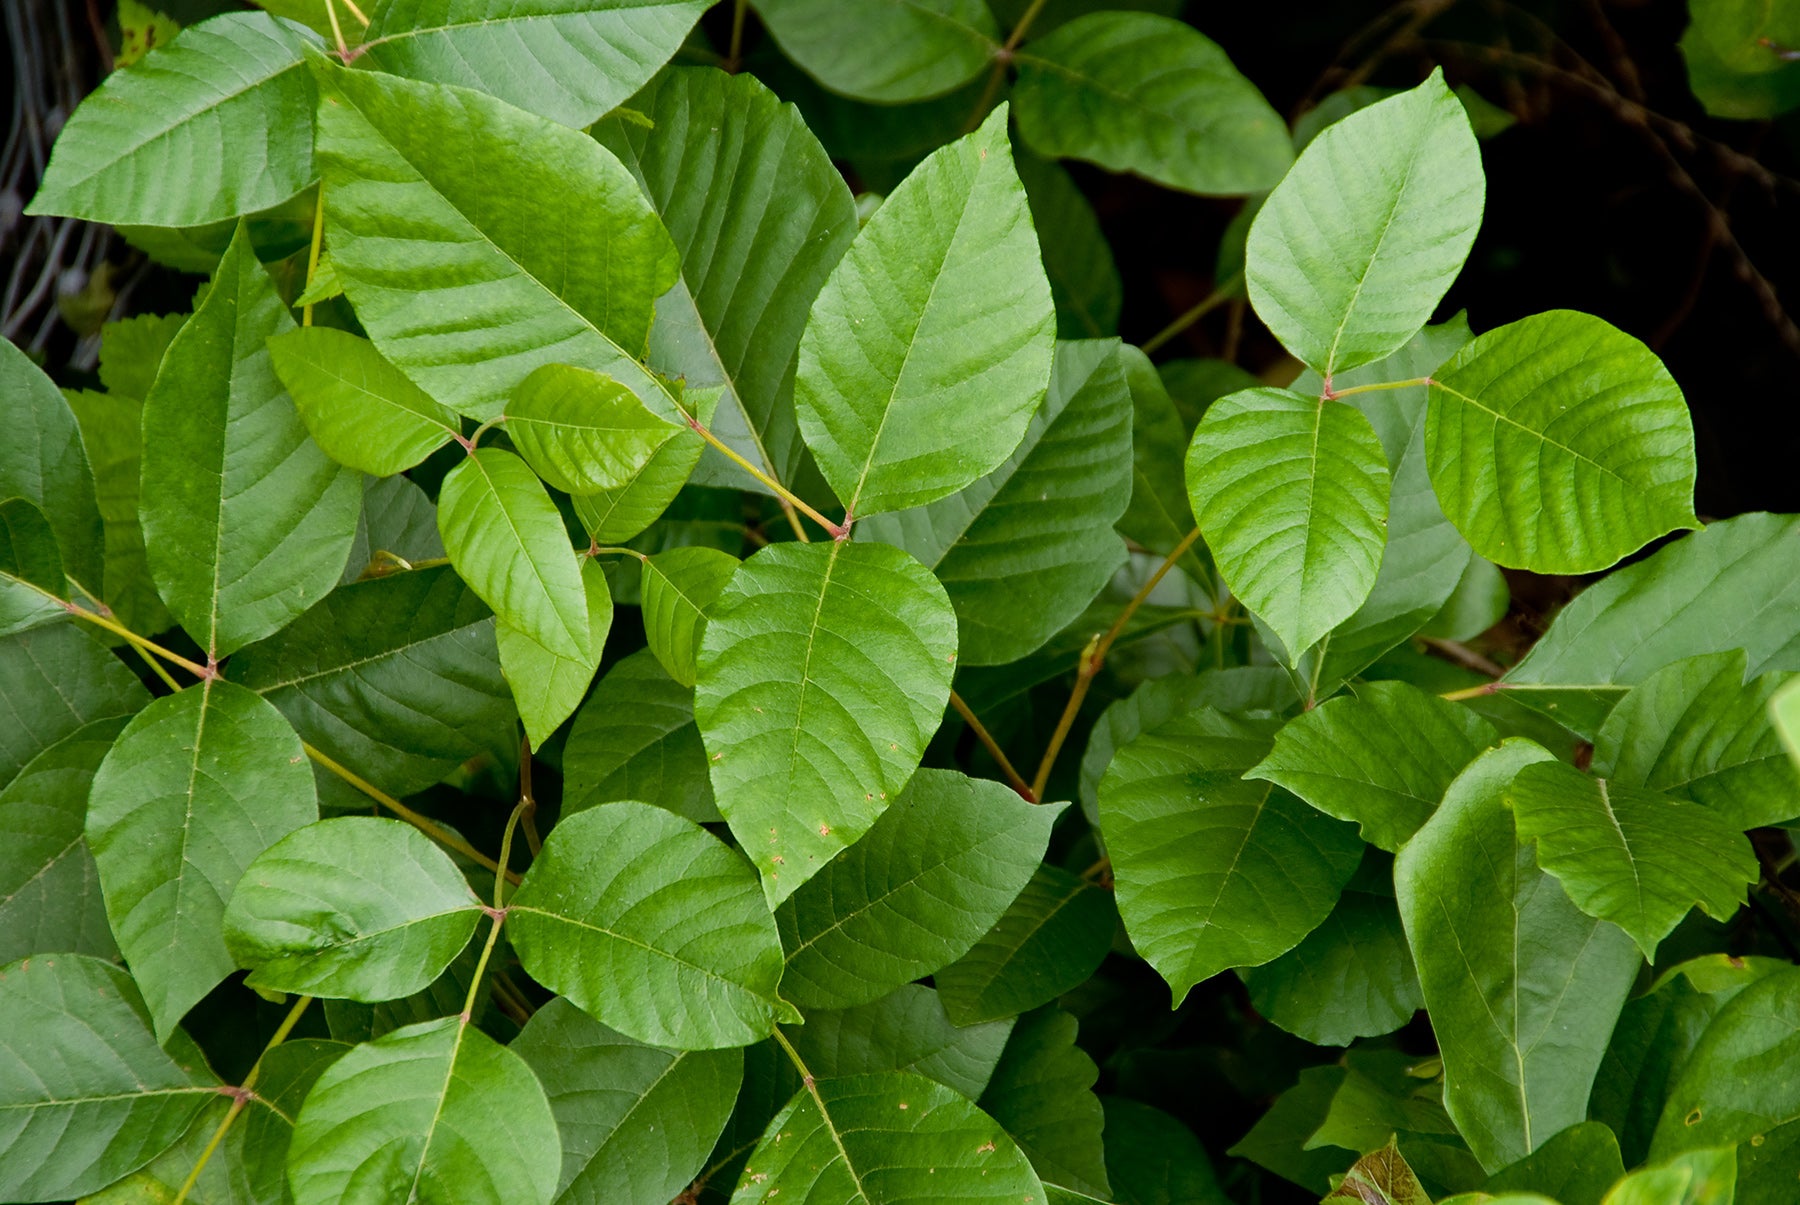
651 925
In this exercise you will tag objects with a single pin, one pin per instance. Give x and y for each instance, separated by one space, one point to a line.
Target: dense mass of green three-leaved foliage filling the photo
575 593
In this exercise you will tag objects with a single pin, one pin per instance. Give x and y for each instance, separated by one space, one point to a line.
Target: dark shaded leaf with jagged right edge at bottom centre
1043 1094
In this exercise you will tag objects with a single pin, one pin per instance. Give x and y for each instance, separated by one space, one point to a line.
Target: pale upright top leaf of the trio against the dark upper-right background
1362 240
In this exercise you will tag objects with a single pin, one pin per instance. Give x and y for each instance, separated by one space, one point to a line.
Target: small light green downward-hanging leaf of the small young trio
508 543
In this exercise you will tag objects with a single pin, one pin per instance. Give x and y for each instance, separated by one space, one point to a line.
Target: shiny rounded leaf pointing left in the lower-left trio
357 909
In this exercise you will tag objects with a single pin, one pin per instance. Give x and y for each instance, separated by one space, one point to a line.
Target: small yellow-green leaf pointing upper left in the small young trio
357 406
